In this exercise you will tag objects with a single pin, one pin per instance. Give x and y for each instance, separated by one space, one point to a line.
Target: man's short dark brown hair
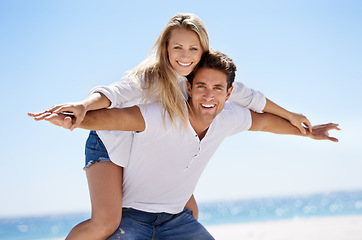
218 61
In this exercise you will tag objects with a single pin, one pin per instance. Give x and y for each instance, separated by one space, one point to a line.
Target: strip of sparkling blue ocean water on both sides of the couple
250 210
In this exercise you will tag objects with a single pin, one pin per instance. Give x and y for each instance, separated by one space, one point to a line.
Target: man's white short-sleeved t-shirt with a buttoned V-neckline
166 162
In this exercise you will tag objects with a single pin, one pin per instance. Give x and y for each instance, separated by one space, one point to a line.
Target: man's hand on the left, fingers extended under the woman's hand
58 119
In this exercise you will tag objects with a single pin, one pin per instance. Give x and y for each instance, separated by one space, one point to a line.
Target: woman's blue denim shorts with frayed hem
95 151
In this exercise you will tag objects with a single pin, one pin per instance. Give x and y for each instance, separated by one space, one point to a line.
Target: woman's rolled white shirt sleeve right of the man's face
247 97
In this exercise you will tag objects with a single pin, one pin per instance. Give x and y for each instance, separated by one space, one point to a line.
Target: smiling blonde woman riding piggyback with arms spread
161 77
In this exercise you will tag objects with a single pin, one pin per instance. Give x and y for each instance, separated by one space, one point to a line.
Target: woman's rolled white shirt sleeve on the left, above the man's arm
120 92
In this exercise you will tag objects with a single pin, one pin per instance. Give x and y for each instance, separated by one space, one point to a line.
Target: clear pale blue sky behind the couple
304 55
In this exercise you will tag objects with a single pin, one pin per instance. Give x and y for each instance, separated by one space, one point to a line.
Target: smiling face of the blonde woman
184 51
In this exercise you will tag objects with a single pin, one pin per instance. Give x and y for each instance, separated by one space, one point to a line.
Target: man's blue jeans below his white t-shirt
139 225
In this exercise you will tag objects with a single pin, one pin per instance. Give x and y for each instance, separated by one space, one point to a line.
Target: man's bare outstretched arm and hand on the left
124 119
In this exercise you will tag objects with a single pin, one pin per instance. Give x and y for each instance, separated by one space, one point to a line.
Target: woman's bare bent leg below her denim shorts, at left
105 189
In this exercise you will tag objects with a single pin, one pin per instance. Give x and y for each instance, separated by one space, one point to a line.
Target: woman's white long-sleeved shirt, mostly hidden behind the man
126 93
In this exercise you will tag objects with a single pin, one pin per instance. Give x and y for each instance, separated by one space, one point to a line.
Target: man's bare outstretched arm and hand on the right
267 122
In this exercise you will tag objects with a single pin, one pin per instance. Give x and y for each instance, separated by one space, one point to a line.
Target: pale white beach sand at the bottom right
317 228
